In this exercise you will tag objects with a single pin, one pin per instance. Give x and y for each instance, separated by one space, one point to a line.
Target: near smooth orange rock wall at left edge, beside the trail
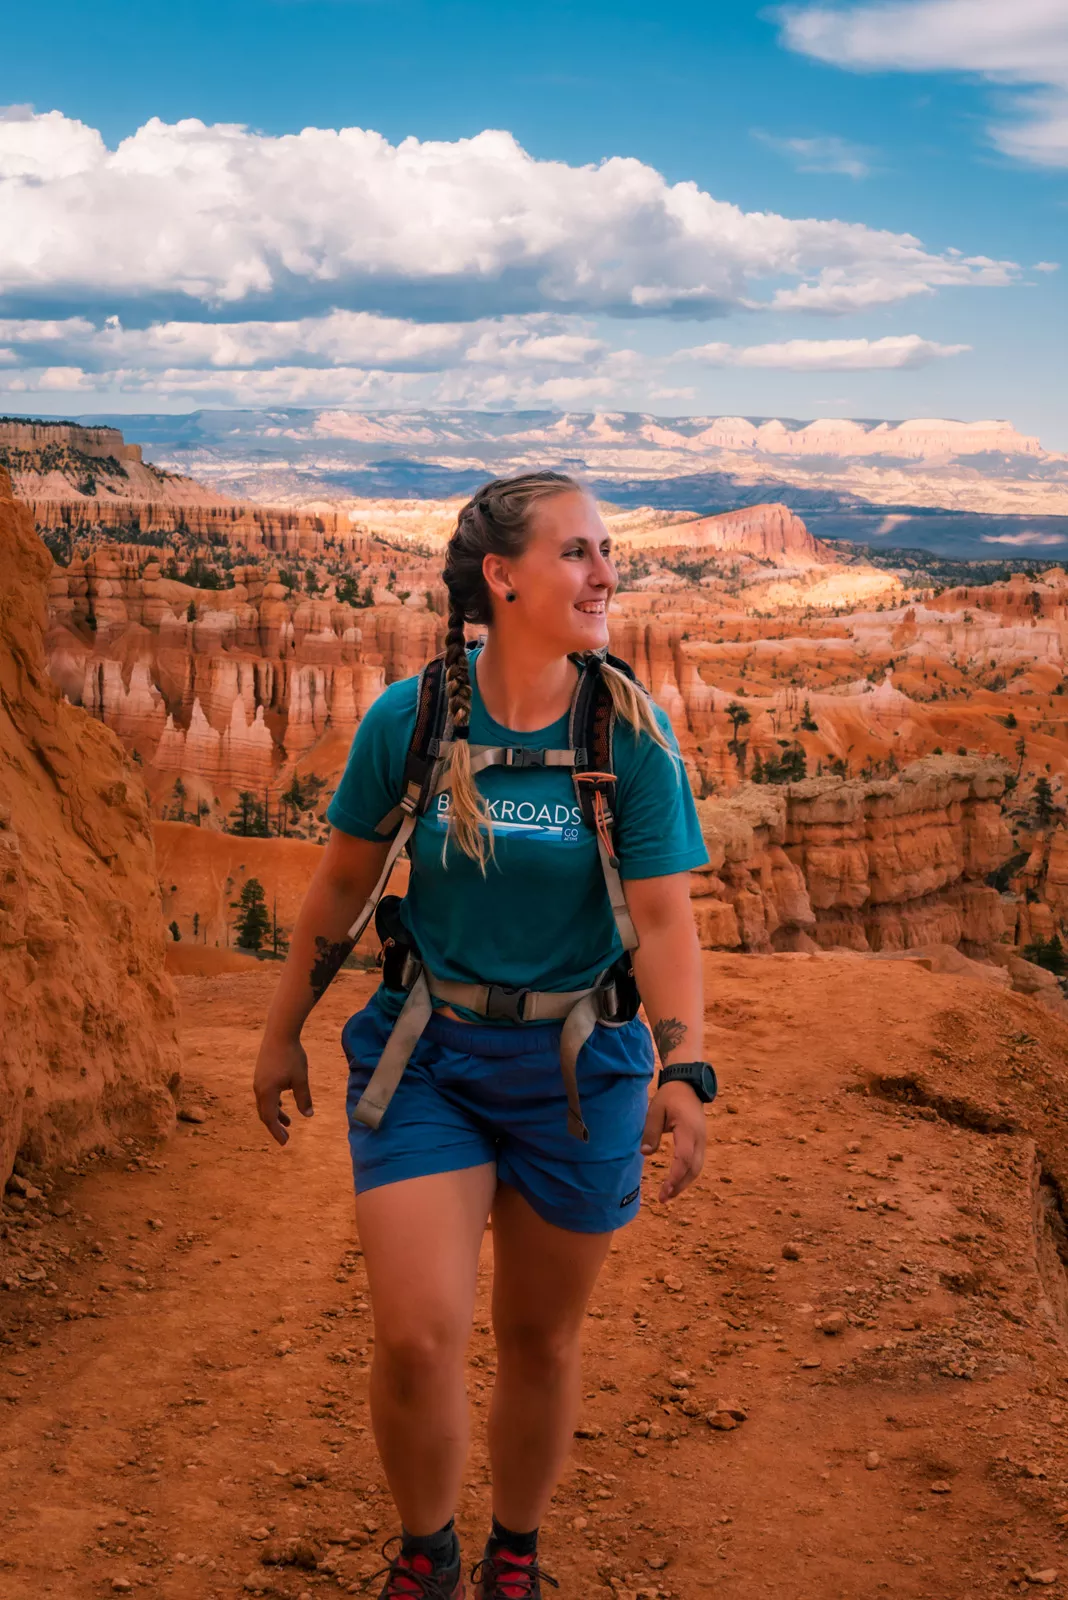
89 1046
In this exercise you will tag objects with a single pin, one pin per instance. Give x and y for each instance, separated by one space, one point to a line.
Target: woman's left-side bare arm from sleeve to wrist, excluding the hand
319 943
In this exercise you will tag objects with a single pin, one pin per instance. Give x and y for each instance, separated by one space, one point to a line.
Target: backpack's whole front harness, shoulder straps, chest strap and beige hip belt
591 730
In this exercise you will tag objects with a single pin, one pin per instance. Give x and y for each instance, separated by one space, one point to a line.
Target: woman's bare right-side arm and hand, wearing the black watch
667 967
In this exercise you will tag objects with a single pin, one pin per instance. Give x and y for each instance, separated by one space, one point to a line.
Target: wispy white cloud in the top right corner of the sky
1010 42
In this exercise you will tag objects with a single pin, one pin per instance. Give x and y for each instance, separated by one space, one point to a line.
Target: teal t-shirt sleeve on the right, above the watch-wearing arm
656 820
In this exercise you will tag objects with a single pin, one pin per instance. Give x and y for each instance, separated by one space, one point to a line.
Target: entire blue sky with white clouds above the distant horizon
915 153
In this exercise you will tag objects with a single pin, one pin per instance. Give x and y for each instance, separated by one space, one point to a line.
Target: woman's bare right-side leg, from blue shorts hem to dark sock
543 1279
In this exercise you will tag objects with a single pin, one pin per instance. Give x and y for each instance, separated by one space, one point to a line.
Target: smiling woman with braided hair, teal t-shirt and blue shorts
479 1126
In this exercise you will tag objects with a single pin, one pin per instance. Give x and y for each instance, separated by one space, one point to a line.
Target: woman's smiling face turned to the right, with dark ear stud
565 578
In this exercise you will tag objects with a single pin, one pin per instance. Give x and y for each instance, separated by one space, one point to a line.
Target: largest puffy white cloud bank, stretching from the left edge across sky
229 218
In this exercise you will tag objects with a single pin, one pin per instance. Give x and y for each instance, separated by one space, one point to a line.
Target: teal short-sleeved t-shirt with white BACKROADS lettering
541 918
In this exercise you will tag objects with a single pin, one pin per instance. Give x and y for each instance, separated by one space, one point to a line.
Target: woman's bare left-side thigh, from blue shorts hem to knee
421 1241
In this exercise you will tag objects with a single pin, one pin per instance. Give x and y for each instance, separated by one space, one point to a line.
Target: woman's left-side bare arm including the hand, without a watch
319 945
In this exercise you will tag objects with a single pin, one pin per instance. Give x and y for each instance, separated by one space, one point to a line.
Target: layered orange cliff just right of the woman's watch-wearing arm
888 865
